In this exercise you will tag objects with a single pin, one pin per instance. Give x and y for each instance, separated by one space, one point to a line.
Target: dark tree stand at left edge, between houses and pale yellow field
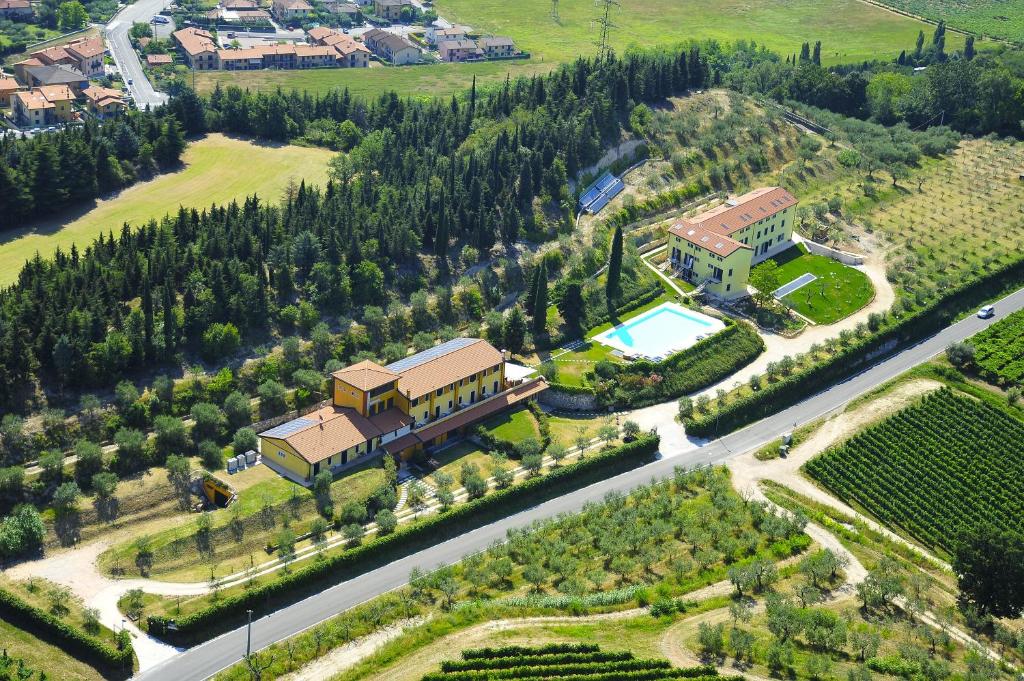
48 174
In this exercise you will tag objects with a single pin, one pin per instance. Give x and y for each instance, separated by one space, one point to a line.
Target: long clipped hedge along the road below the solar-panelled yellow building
381 550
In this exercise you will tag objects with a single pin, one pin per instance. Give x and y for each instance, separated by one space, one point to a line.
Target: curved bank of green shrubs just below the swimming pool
706 363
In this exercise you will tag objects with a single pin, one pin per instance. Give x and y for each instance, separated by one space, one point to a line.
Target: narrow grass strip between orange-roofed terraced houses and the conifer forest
418 82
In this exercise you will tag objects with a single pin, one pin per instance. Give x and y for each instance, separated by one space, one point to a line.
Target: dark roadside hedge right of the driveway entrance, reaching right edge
855 358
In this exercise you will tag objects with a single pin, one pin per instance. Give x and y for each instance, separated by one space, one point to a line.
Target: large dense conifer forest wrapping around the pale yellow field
423 178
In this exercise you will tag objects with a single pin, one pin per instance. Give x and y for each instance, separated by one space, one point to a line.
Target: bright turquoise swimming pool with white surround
660 332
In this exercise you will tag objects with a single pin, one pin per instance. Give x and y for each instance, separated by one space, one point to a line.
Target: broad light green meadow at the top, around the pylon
849 31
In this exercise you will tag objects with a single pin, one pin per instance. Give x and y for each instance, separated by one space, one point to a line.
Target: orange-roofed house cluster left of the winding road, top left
53 88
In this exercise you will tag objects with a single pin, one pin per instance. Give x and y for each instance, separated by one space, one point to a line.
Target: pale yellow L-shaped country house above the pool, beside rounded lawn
717 248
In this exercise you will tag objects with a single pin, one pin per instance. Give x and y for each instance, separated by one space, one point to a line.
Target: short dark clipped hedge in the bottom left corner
106 658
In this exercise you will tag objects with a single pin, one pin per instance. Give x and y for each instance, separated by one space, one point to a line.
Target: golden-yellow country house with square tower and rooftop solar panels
411 405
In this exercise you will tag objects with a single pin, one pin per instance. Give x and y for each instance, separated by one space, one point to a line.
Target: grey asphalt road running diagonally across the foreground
206 660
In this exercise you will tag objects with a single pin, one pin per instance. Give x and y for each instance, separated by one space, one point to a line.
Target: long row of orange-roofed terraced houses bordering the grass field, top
329 50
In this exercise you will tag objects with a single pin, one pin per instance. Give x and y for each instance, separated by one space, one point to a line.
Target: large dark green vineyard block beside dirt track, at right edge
933 469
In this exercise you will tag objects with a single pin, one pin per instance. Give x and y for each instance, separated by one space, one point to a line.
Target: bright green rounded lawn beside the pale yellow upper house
838 292
